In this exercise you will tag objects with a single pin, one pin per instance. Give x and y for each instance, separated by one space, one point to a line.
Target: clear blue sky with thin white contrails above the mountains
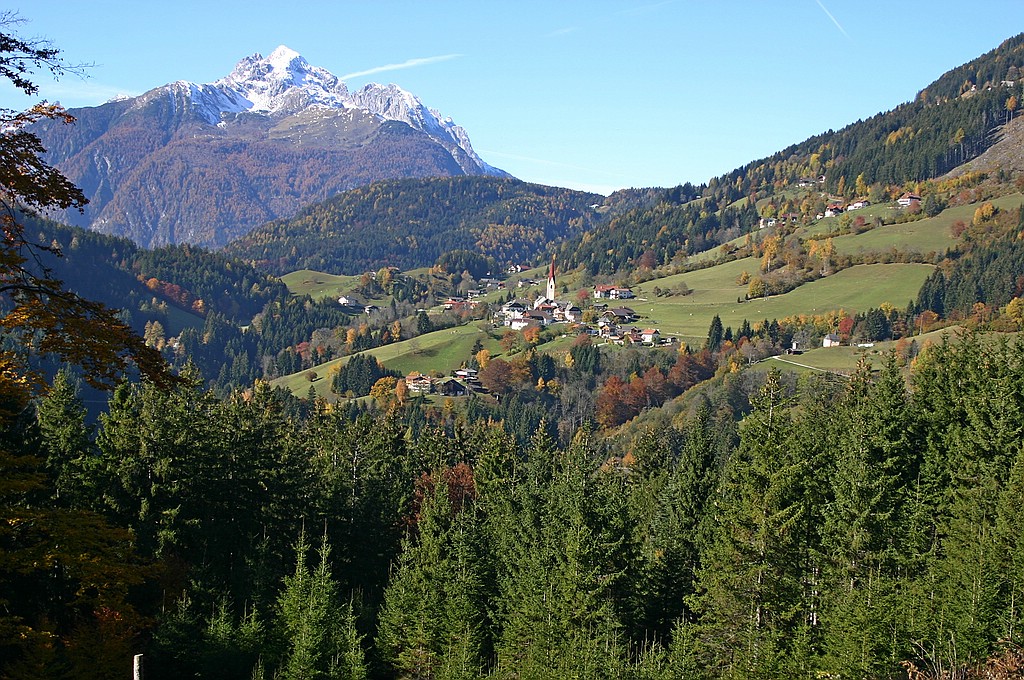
598 96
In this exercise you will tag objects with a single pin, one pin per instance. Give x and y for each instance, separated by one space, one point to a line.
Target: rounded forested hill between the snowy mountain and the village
411 224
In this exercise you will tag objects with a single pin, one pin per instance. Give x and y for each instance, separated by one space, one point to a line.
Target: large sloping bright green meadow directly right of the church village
715 292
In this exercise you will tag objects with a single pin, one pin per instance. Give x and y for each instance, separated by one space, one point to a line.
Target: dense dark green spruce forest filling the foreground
855 528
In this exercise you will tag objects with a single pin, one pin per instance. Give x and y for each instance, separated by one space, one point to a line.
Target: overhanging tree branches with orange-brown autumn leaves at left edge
39 315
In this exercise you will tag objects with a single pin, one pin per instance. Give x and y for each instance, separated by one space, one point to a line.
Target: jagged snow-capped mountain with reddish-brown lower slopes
207 163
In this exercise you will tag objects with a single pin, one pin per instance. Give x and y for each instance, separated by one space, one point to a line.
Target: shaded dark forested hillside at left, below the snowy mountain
191 305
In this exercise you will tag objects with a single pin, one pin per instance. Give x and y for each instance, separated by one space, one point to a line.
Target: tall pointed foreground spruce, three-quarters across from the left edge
754 610
